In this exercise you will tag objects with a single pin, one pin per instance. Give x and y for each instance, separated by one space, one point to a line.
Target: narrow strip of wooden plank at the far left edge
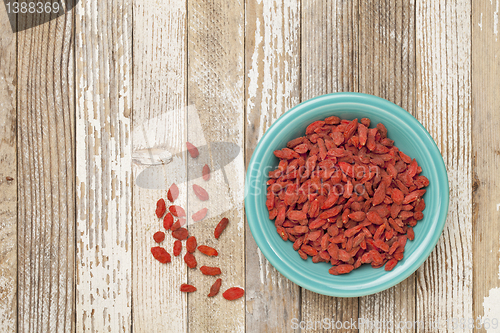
8 173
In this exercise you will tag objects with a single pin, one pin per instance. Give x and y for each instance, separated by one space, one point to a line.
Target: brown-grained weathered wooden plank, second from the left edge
46 193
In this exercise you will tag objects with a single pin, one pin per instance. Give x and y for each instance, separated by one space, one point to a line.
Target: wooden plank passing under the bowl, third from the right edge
387 69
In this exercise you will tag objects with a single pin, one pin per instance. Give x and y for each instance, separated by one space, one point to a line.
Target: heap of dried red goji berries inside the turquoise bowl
344 194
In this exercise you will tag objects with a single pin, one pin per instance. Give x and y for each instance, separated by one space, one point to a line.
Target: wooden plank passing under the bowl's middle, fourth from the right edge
329 64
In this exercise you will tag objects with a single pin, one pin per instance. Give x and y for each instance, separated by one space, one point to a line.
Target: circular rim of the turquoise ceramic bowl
361 100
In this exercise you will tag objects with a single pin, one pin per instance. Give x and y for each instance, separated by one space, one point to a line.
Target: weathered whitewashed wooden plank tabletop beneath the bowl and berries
77 91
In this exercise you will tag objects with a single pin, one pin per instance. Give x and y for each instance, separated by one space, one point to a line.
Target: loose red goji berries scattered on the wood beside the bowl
181 234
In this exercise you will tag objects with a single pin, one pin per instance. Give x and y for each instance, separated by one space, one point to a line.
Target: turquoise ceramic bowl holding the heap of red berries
409 136
